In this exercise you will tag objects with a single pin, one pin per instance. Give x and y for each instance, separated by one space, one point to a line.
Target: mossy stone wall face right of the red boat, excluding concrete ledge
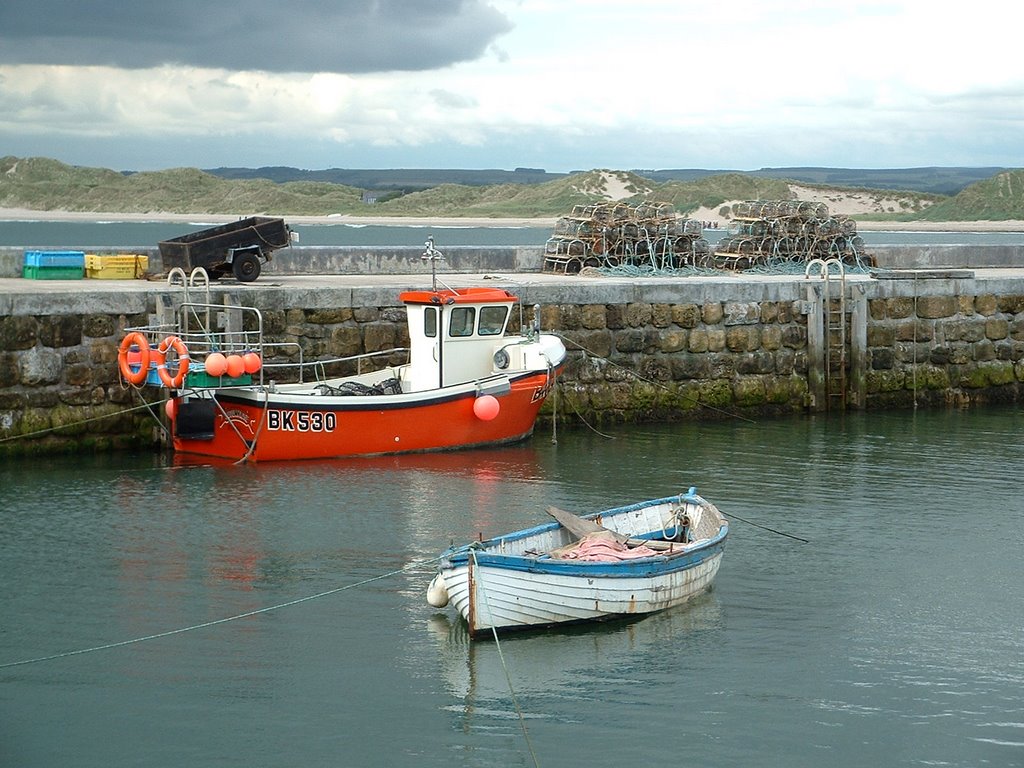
645 362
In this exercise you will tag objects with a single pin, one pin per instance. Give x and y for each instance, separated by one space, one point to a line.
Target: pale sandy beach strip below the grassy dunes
23 215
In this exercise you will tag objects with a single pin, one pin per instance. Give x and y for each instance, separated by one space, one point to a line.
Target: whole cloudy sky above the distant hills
557 84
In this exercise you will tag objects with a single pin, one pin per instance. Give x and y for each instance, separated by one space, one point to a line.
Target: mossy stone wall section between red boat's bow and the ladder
644 362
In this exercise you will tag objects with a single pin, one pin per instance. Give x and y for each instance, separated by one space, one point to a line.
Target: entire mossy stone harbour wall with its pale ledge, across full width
639 350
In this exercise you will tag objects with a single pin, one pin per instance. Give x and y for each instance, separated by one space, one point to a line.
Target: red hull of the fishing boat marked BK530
325 429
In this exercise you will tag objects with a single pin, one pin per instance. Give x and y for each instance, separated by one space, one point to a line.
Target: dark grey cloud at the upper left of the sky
339 36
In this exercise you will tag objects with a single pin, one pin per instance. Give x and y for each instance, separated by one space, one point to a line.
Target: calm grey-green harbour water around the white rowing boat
895 637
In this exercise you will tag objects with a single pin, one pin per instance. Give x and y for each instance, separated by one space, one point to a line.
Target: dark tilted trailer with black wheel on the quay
239 248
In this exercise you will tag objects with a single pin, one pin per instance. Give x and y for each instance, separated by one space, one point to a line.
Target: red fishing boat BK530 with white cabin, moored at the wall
466 383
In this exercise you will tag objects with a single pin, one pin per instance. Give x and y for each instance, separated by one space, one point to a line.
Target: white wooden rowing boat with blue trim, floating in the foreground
629 561
